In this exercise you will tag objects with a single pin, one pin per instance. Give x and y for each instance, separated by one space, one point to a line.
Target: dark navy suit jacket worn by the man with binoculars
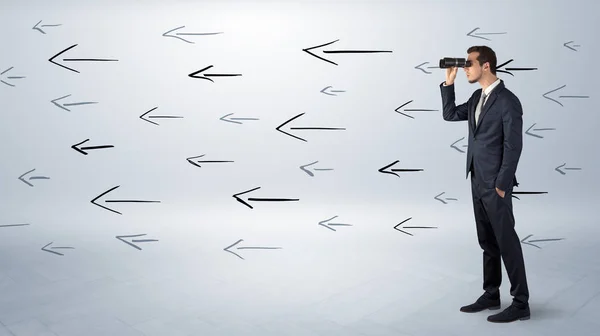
496 143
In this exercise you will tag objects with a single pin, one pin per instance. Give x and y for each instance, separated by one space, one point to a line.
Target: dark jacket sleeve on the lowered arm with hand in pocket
512 128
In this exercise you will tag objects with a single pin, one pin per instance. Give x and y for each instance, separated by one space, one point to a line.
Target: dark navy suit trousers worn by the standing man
497 237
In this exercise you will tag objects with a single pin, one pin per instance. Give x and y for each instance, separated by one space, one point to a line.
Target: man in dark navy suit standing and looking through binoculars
494 116
